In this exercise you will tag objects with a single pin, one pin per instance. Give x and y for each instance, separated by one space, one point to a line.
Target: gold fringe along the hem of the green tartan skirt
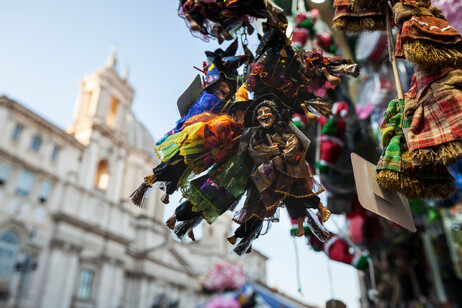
414 188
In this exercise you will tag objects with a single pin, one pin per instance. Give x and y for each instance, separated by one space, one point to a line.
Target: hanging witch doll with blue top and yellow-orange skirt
187 138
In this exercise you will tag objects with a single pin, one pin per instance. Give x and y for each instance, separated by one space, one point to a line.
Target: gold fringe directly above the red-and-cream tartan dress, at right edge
428 55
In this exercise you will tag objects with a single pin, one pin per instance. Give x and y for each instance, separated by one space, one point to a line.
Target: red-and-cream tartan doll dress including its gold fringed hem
434 106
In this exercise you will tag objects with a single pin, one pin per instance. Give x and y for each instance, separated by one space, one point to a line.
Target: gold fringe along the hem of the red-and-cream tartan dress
443 154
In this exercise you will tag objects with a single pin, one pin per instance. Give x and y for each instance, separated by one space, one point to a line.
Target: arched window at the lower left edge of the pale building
9 247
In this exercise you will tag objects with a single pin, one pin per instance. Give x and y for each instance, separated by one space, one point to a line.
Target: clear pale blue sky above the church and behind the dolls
48 46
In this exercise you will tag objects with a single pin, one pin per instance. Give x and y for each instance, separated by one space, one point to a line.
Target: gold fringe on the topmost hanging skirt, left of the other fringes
359 24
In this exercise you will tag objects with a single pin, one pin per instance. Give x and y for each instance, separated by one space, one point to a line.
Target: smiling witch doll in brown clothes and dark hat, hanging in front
280 174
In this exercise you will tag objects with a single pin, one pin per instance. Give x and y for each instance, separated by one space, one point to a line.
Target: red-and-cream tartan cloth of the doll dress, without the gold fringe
438 116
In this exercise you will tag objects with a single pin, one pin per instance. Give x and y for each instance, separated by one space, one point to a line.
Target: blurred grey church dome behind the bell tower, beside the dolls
138 136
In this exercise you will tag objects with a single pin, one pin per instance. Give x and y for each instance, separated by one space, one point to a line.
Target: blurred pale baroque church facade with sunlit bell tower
69 236
